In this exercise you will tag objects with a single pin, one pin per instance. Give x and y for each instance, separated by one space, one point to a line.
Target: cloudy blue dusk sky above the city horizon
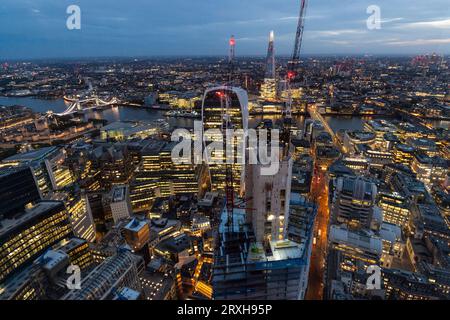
37 28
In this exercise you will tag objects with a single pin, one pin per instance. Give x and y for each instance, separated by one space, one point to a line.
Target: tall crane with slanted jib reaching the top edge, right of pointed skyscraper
295 59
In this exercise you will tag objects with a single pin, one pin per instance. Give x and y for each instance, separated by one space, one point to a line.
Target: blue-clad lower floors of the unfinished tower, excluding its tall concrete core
250 270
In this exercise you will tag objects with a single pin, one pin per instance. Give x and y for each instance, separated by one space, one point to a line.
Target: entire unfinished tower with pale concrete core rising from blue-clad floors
254 257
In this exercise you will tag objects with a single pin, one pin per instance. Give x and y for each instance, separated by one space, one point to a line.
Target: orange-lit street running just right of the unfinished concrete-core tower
319 193
